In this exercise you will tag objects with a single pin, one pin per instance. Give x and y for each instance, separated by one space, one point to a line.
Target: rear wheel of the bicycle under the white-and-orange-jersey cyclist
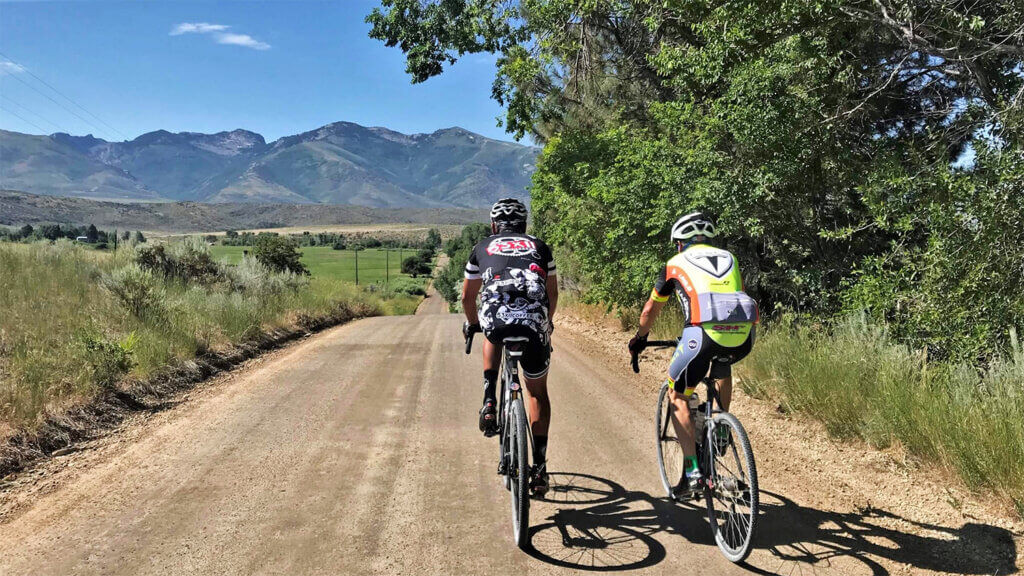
733 498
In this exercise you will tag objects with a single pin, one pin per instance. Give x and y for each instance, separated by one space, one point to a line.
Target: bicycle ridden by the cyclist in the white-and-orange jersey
735 488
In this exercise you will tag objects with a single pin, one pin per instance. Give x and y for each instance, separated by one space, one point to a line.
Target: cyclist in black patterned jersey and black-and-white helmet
515 275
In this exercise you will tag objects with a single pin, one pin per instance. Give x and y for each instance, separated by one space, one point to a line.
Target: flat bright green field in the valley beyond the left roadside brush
325 262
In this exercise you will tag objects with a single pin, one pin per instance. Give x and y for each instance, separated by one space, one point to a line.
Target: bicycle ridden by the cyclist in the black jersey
517 438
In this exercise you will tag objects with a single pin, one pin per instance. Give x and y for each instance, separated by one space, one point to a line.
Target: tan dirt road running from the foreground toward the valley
357 452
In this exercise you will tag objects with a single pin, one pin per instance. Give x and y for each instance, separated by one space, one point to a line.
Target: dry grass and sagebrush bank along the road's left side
66 332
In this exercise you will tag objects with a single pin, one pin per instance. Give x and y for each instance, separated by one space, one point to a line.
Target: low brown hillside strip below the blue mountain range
20 209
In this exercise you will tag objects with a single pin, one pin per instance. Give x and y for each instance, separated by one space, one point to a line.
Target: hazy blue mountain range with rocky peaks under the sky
340 163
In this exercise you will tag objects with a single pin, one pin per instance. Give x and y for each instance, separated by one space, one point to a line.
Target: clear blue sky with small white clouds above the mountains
275 68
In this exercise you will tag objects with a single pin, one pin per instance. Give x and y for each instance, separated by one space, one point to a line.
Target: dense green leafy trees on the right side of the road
833 140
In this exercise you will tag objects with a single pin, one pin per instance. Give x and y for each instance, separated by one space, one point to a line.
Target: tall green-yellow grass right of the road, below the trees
861 384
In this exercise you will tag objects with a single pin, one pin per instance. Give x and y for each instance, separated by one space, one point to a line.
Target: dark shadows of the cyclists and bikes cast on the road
602 526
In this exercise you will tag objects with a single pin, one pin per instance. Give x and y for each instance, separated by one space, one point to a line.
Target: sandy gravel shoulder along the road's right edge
844 499
